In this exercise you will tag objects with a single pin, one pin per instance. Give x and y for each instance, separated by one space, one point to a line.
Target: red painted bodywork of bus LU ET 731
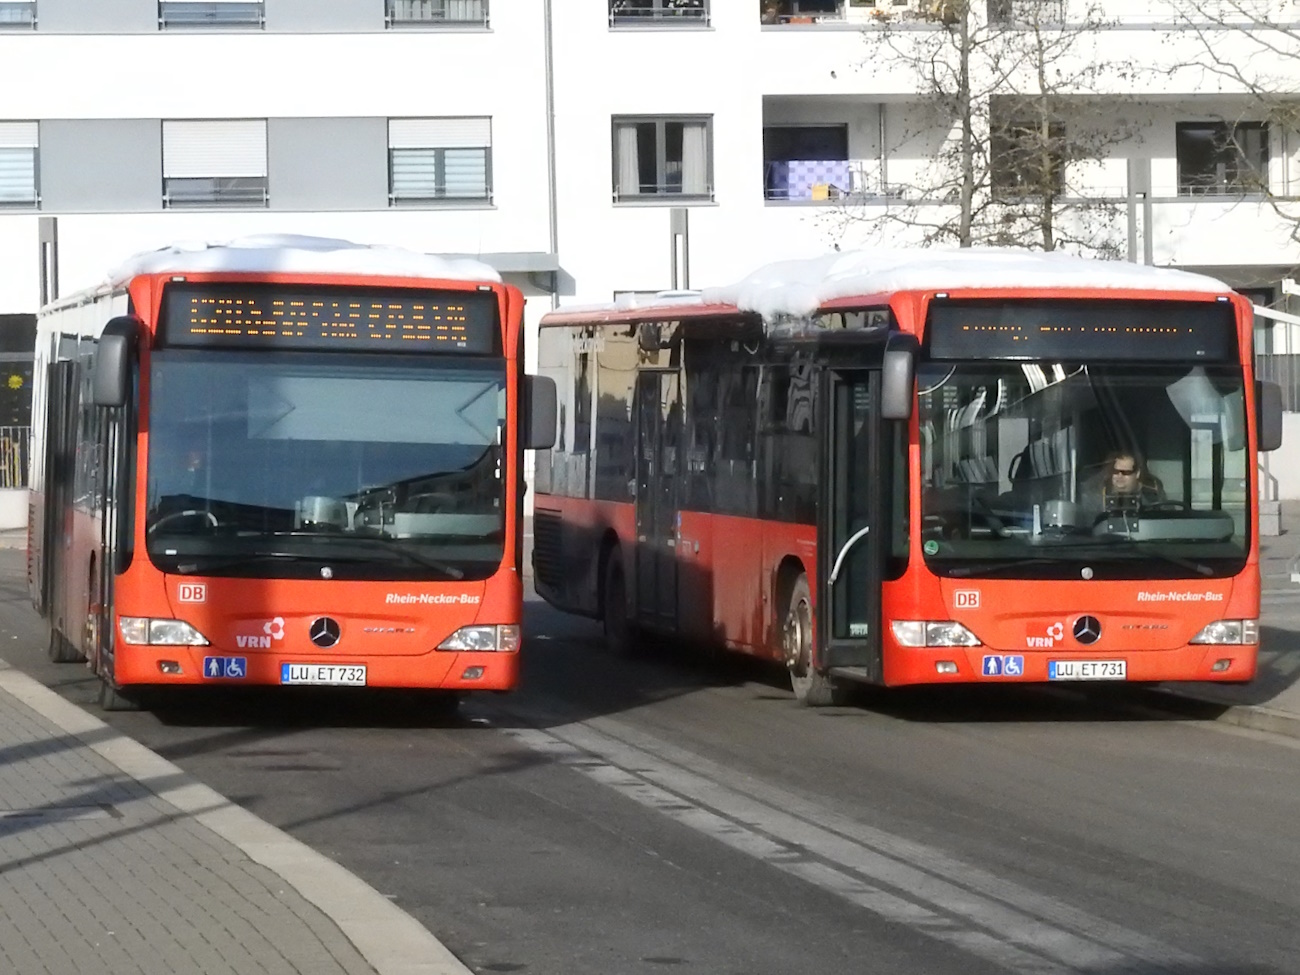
729 567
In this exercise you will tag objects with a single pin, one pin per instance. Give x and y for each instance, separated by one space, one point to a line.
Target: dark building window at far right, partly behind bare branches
1217 158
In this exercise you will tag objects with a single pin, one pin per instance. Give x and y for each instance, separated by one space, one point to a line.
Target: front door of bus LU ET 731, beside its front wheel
851 543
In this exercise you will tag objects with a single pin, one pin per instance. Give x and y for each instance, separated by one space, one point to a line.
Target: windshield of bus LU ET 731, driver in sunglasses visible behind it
1060 470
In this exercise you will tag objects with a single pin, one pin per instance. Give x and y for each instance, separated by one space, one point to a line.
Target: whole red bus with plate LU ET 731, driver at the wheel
882 467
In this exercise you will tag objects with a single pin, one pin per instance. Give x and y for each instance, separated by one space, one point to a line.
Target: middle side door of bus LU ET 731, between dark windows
658 436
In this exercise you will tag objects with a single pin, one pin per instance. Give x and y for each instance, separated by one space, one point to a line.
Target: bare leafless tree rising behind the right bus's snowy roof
1016 123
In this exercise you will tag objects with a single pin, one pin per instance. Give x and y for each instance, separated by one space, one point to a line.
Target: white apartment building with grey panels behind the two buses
591 148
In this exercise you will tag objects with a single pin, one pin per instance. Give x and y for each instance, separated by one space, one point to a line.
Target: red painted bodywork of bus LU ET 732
391 627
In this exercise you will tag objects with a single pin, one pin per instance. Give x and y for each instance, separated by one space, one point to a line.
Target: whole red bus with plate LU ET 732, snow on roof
284 461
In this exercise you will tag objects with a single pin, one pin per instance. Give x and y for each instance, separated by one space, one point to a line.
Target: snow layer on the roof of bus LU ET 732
296 254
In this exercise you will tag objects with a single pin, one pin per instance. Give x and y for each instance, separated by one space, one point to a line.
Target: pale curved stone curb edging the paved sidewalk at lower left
385 935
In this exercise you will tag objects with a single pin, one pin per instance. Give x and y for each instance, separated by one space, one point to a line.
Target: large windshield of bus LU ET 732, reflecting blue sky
301 465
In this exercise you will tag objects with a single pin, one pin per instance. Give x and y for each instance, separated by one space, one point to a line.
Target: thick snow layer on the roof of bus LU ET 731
798 288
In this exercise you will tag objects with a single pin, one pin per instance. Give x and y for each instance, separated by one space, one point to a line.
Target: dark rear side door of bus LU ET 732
60 443
